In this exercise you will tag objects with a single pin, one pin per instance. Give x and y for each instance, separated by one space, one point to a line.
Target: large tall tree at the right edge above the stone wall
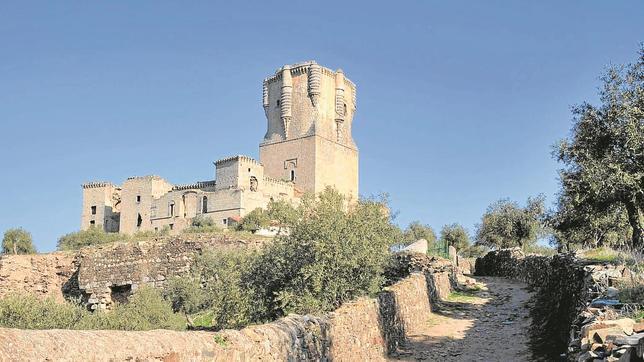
604 156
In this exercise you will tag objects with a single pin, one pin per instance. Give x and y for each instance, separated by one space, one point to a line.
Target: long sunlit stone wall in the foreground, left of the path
366 329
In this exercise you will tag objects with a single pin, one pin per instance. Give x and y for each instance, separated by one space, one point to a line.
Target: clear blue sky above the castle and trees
459 102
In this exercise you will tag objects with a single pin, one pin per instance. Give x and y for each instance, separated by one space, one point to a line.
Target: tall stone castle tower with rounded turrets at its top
310 110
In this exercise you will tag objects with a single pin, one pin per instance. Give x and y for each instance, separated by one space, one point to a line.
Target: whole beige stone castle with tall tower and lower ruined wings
308 146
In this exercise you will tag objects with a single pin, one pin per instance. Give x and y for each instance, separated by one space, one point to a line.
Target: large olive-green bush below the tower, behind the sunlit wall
331 256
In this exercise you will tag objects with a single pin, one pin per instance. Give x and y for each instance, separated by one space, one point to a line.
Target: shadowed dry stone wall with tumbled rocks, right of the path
574 310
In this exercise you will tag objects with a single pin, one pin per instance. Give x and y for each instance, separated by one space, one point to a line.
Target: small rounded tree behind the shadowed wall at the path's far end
505 224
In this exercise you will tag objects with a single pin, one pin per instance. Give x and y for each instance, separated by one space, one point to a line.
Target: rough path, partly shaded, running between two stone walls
487 321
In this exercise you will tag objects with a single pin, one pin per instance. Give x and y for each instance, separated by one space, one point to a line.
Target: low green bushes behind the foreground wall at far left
146 310
